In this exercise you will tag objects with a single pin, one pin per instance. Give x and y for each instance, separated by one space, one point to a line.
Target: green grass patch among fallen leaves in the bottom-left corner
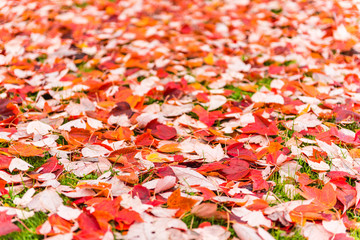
31 223
